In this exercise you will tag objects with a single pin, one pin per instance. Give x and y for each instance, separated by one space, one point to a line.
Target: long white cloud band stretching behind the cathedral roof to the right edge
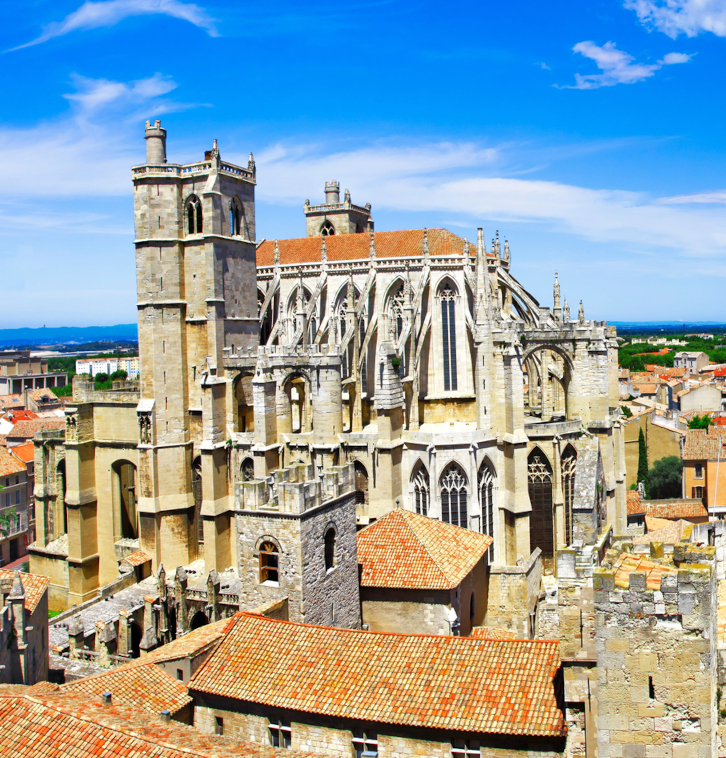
469 182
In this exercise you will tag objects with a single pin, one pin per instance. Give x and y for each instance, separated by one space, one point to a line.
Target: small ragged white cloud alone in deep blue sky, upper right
617 66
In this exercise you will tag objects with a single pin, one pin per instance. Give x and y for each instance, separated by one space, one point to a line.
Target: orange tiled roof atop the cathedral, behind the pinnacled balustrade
349 247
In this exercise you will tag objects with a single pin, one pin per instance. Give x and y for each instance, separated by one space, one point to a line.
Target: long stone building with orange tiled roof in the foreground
342 692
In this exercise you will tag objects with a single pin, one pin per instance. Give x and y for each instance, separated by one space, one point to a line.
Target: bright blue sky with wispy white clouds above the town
589 134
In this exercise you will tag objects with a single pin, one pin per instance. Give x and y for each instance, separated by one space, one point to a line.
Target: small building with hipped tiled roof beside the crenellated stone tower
422 575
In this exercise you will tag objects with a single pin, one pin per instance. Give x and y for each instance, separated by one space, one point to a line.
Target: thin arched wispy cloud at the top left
92 15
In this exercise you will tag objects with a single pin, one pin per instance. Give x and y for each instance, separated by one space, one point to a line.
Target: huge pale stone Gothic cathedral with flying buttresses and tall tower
293 391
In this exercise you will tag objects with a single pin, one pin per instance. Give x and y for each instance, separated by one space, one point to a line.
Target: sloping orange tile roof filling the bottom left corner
39 721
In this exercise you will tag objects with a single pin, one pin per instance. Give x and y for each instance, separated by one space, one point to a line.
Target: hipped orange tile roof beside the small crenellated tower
410 551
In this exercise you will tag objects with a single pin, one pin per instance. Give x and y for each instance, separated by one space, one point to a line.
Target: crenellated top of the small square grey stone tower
296 489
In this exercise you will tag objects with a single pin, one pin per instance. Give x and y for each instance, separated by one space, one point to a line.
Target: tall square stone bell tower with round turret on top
197 294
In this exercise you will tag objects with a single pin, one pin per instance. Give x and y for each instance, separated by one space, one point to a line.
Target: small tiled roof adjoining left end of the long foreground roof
139 684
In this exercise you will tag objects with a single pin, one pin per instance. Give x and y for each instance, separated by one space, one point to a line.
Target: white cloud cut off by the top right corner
674 17
